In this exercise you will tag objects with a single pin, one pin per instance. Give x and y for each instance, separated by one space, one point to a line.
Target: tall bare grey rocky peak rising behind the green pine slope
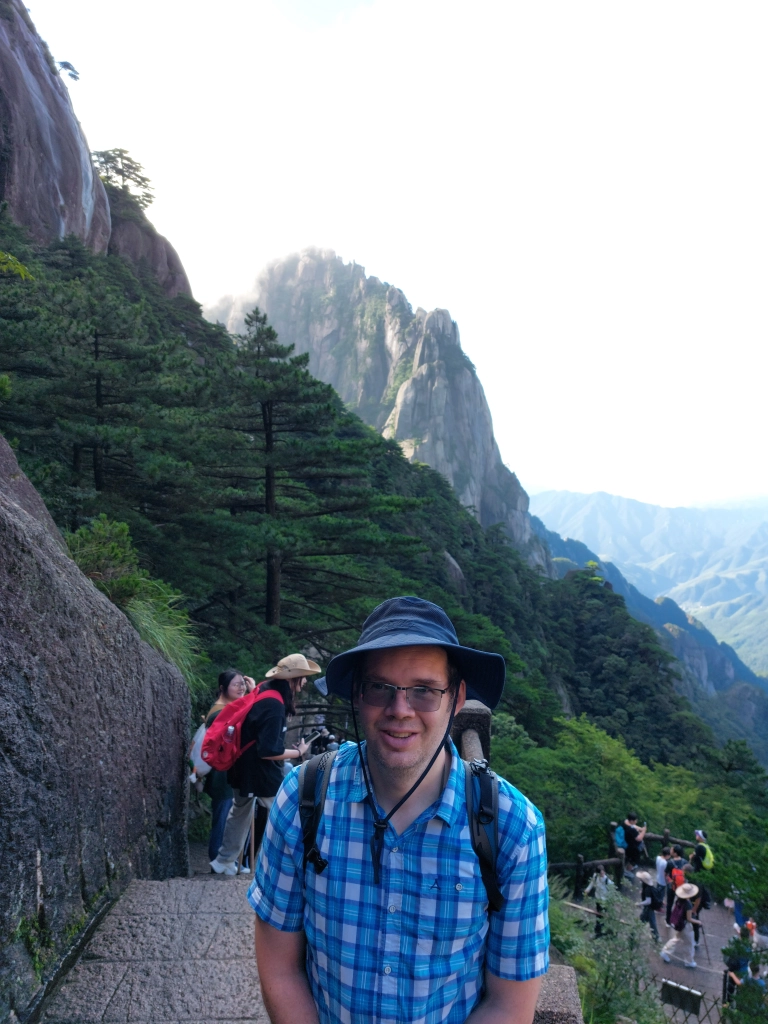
405 373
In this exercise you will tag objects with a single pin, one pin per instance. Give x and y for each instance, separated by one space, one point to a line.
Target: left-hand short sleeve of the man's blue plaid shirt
277 892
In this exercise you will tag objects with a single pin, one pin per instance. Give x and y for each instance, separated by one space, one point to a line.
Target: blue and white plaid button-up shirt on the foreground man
411 951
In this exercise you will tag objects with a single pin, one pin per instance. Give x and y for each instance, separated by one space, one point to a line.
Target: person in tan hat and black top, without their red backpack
258 774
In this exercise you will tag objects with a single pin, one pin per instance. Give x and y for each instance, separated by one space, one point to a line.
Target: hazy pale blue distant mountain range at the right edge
713 563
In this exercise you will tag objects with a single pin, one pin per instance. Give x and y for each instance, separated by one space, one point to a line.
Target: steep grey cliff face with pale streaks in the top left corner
47 175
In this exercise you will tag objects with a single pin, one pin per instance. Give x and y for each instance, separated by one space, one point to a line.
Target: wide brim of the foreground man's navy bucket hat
483 672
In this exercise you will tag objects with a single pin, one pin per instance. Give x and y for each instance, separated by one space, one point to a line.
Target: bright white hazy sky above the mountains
584 186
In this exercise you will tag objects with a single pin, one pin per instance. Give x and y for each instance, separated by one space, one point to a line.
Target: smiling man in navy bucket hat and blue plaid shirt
390 920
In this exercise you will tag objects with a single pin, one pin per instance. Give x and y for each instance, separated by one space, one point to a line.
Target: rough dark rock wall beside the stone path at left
94 728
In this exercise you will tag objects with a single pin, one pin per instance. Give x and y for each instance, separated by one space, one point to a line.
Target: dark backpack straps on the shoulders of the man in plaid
483 805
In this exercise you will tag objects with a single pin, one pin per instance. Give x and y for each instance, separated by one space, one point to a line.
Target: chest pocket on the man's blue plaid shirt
453 922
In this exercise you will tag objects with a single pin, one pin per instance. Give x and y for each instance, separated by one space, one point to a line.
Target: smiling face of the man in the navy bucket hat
400 739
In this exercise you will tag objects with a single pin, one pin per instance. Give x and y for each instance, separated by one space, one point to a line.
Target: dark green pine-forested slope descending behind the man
281 521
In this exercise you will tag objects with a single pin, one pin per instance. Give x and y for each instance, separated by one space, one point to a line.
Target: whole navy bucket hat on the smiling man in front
412 622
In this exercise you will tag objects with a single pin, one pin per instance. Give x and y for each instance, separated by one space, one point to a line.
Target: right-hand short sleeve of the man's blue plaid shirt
519 934
